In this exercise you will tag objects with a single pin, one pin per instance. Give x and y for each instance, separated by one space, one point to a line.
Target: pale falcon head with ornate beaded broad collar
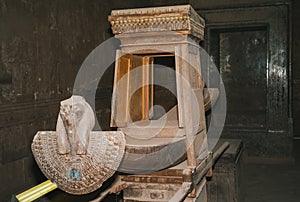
73 157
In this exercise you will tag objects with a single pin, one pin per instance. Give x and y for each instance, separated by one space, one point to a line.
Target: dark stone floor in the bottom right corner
272 183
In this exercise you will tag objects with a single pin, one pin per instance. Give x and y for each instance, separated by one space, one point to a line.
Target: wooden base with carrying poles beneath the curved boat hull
173 184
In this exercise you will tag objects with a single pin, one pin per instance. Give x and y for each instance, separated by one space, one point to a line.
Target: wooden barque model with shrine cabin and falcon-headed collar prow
158 156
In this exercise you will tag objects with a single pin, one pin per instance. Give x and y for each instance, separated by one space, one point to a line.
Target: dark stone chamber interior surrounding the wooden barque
253 43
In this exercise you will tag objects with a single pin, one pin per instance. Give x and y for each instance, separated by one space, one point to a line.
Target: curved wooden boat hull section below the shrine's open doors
144 156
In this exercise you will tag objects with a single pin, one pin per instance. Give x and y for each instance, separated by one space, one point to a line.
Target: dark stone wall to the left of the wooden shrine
42 46
